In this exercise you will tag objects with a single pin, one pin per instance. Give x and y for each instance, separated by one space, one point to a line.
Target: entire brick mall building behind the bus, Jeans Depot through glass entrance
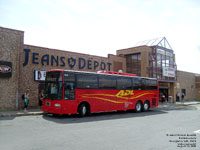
21 63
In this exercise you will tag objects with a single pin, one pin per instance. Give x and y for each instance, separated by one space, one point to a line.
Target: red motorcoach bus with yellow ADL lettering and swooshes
76 92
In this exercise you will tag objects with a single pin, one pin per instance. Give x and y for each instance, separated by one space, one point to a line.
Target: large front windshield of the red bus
53 86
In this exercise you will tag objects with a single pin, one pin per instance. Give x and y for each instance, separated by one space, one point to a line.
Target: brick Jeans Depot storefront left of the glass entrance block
24 67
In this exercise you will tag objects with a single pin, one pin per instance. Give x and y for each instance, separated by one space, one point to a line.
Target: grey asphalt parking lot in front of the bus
160 128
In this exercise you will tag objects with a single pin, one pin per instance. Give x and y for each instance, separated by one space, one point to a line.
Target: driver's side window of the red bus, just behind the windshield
69 92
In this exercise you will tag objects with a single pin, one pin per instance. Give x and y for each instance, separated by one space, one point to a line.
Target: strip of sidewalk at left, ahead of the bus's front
15 113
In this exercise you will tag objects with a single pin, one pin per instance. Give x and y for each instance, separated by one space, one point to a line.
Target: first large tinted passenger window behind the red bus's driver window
87 81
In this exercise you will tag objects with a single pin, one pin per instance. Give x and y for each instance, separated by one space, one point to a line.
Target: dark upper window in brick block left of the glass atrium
133 62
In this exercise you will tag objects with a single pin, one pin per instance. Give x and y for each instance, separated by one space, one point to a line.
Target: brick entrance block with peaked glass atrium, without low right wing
155 59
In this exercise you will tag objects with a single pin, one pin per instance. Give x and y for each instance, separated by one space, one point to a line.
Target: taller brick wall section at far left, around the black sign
11 41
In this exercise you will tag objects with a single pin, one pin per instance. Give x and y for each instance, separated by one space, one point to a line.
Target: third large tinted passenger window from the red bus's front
124 83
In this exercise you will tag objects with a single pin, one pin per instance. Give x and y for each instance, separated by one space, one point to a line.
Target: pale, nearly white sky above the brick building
100 27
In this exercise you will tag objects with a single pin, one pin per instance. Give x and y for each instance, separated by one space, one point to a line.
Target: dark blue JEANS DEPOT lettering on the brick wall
62 61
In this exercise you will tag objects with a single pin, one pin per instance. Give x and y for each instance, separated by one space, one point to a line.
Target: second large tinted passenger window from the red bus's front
107 82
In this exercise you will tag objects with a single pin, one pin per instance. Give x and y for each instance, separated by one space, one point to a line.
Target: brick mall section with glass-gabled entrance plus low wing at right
156 59
